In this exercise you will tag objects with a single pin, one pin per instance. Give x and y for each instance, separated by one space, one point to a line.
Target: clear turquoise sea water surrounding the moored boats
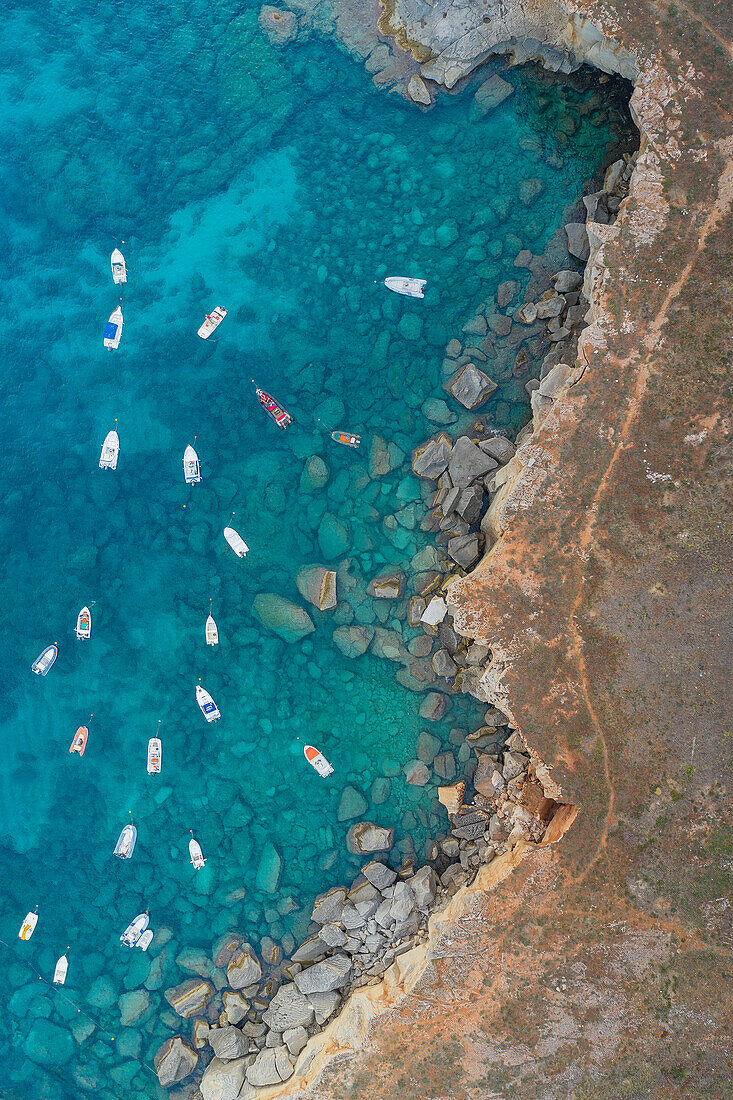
280 185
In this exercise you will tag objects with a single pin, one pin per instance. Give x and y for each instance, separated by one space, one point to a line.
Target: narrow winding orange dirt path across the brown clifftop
587 542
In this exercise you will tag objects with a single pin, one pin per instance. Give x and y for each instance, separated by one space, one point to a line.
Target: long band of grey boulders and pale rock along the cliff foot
265 1027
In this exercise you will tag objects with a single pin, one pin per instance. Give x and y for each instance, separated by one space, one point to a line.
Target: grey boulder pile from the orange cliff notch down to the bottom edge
254 1014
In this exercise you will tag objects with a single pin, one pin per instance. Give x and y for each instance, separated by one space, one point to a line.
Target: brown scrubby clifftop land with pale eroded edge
595 970
